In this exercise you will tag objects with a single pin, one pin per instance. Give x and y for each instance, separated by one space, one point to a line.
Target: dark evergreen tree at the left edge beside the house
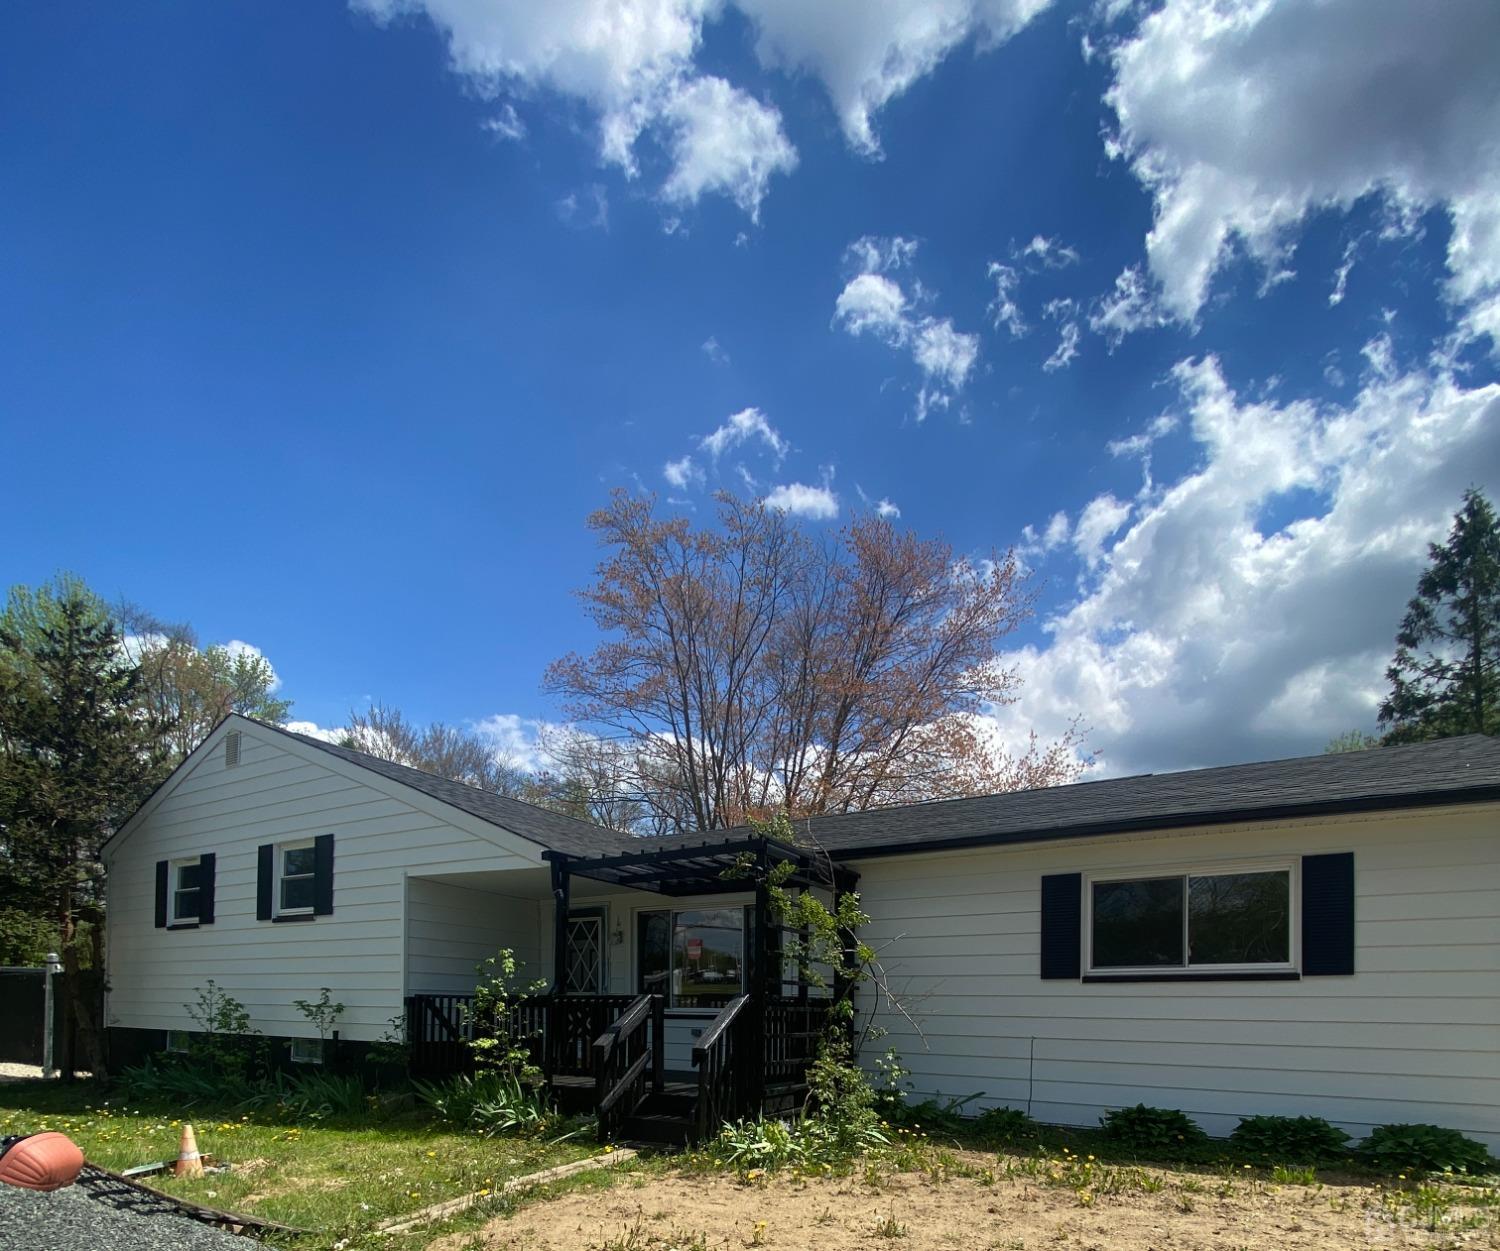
77 757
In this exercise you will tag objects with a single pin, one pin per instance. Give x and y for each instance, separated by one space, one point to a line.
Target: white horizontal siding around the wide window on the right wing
1412 1036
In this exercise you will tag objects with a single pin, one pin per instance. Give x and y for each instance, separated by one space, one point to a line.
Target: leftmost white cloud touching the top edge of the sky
632 64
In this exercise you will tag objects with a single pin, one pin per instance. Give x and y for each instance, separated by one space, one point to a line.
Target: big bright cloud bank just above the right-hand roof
1249 610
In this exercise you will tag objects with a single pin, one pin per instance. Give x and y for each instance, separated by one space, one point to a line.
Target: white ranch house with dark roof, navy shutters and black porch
1298 937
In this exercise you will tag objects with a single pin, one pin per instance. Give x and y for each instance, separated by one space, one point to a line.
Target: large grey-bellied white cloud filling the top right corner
1243 119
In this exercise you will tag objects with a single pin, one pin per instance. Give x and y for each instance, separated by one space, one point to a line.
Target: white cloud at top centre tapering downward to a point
871 52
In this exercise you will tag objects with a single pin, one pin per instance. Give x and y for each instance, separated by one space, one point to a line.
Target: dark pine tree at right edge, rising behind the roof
1445 679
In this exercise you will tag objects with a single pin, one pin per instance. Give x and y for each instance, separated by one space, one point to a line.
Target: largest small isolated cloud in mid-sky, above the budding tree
875 304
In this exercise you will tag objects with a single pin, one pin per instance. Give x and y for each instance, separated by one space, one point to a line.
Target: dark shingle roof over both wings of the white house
1448 772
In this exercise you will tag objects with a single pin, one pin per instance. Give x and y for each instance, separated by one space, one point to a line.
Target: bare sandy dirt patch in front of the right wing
1154 1211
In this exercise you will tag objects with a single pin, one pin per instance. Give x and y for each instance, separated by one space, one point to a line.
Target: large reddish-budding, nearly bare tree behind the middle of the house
754 670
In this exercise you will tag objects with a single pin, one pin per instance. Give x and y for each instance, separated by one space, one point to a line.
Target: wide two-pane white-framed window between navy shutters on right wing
1202 919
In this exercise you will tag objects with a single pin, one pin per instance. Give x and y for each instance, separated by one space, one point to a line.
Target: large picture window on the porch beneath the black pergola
695 958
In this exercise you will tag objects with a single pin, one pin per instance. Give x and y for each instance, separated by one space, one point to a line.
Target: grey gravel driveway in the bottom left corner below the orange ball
74 1220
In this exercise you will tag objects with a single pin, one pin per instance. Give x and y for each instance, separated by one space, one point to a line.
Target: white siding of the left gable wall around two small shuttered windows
283 793
